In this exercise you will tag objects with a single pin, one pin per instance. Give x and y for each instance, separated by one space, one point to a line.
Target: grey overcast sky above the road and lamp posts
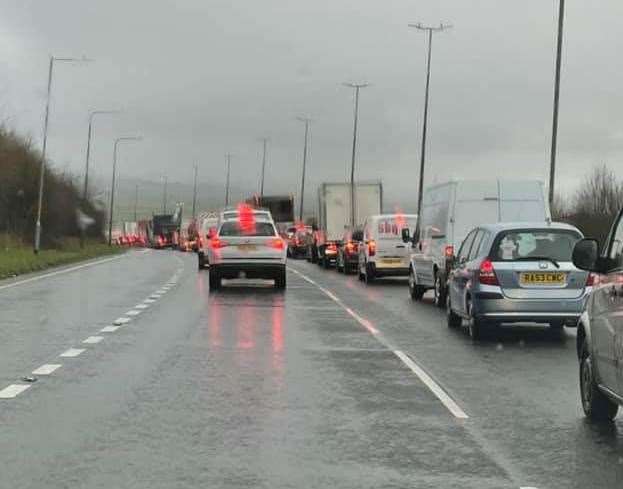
199 78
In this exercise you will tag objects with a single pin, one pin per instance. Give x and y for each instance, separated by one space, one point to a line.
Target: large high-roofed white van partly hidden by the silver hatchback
450 210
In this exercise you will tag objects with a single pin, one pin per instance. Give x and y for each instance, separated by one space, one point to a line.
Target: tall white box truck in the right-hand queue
334 204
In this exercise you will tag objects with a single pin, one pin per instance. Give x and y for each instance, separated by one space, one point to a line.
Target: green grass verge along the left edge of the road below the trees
16 258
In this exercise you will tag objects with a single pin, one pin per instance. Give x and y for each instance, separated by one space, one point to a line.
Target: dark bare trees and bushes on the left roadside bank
20 165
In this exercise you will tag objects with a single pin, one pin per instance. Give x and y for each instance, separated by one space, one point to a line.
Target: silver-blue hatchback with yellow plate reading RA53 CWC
517 272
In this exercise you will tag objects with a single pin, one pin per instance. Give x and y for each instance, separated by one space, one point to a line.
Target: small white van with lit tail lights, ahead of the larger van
383 252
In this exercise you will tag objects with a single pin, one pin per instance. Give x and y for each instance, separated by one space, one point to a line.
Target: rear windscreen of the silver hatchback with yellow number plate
538 243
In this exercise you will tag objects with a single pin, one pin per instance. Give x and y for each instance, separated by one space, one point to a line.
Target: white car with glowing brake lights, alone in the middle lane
247 246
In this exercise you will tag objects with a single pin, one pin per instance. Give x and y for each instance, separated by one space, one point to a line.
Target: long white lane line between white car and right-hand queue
434 387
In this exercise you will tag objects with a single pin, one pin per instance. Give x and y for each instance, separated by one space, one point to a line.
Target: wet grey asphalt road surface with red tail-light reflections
329 384
